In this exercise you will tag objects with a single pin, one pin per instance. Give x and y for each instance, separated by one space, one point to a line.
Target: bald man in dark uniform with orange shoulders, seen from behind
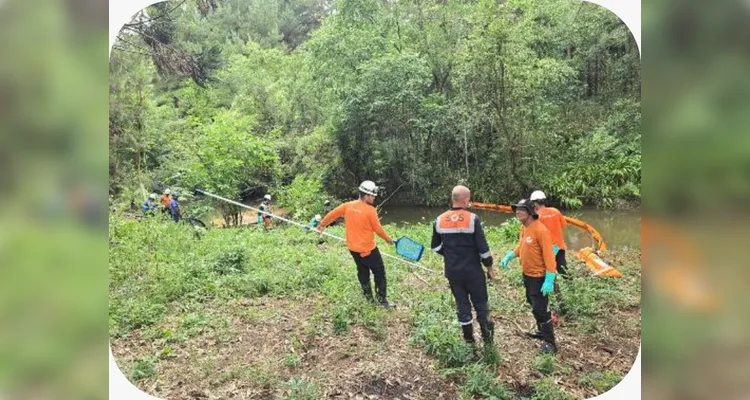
457 235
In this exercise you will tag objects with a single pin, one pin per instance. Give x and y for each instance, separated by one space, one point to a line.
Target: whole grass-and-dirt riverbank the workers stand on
250 314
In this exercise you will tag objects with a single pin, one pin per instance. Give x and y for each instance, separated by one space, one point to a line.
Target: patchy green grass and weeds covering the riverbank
172 289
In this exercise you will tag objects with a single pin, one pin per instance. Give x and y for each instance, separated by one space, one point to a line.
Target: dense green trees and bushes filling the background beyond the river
242 96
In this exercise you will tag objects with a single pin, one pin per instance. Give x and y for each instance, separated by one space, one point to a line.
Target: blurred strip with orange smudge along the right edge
696 186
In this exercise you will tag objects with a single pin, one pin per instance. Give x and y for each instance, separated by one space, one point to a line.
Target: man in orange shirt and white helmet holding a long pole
362 223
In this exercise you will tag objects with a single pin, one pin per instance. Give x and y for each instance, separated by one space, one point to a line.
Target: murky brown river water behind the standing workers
620 229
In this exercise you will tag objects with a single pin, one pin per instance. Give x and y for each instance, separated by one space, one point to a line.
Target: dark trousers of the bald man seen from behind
470 290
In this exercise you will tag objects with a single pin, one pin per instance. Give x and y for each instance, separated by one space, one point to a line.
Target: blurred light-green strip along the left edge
53 199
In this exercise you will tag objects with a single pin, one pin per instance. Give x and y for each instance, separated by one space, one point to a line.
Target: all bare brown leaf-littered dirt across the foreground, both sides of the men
251 347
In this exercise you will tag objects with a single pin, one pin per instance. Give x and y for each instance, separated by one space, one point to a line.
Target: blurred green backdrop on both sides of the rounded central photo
53 199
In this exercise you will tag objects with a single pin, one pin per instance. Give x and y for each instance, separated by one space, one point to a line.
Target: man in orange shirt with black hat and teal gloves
539 270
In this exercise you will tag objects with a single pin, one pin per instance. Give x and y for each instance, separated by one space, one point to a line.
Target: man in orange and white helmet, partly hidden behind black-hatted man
553 219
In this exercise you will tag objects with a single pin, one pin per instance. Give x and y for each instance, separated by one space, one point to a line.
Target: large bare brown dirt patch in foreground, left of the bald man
350 366
